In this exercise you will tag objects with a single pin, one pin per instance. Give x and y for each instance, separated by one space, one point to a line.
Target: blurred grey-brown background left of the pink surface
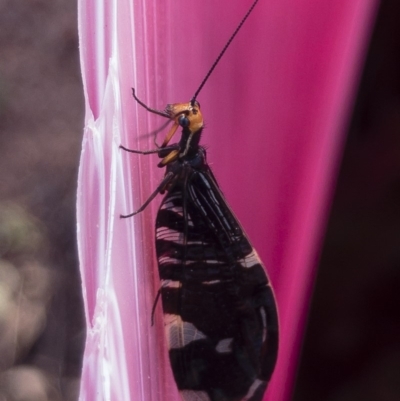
41 118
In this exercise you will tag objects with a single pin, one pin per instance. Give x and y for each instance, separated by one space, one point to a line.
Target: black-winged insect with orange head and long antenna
220 314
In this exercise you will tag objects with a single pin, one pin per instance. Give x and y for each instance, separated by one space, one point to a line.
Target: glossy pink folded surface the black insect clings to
275 111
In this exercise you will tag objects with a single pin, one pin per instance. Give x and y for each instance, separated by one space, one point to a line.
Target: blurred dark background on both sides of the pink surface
352 345
